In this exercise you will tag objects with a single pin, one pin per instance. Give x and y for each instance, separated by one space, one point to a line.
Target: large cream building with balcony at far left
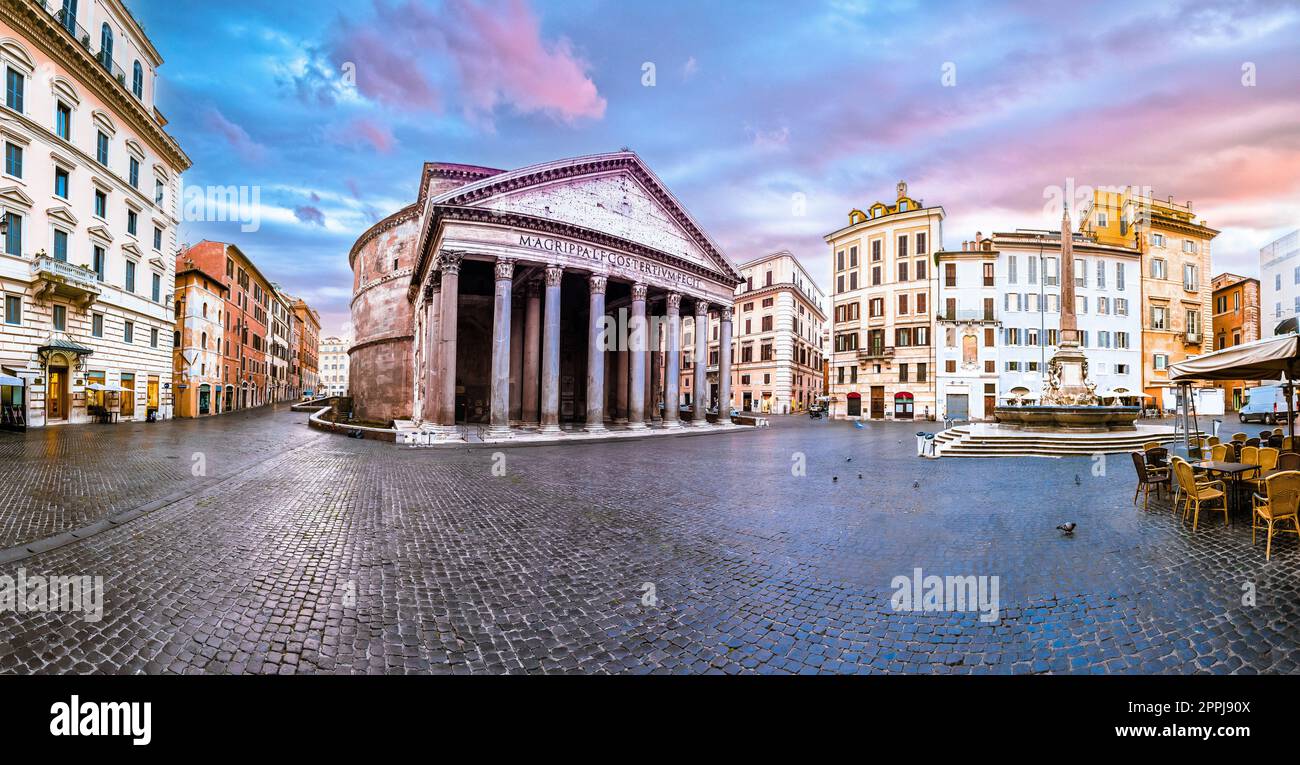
89 205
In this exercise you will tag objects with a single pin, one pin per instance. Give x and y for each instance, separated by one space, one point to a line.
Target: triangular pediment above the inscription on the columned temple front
613 195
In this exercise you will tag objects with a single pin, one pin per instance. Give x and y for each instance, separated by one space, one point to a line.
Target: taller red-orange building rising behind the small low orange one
244 368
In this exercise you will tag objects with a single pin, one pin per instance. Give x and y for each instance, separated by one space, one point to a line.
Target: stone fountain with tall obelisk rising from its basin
1069 401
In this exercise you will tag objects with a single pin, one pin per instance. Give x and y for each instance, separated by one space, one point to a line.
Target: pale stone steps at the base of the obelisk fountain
968 442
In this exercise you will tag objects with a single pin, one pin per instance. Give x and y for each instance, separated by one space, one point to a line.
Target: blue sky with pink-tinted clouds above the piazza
768 120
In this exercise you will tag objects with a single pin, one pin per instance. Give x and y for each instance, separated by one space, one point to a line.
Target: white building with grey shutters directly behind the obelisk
1108 301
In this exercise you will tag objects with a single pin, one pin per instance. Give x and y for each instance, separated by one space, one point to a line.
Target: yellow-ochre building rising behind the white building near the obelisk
1176 275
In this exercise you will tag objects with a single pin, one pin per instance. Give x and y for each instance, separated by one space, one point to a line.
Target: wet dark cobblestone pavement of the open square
304 552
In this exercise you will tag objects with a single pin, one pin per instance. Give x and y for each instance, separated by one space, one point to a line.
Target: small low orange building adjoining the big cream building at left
201 300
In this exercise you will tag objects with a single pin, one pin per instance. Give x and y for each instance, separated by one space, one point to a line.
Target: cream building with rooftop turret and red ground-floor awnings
883 356
